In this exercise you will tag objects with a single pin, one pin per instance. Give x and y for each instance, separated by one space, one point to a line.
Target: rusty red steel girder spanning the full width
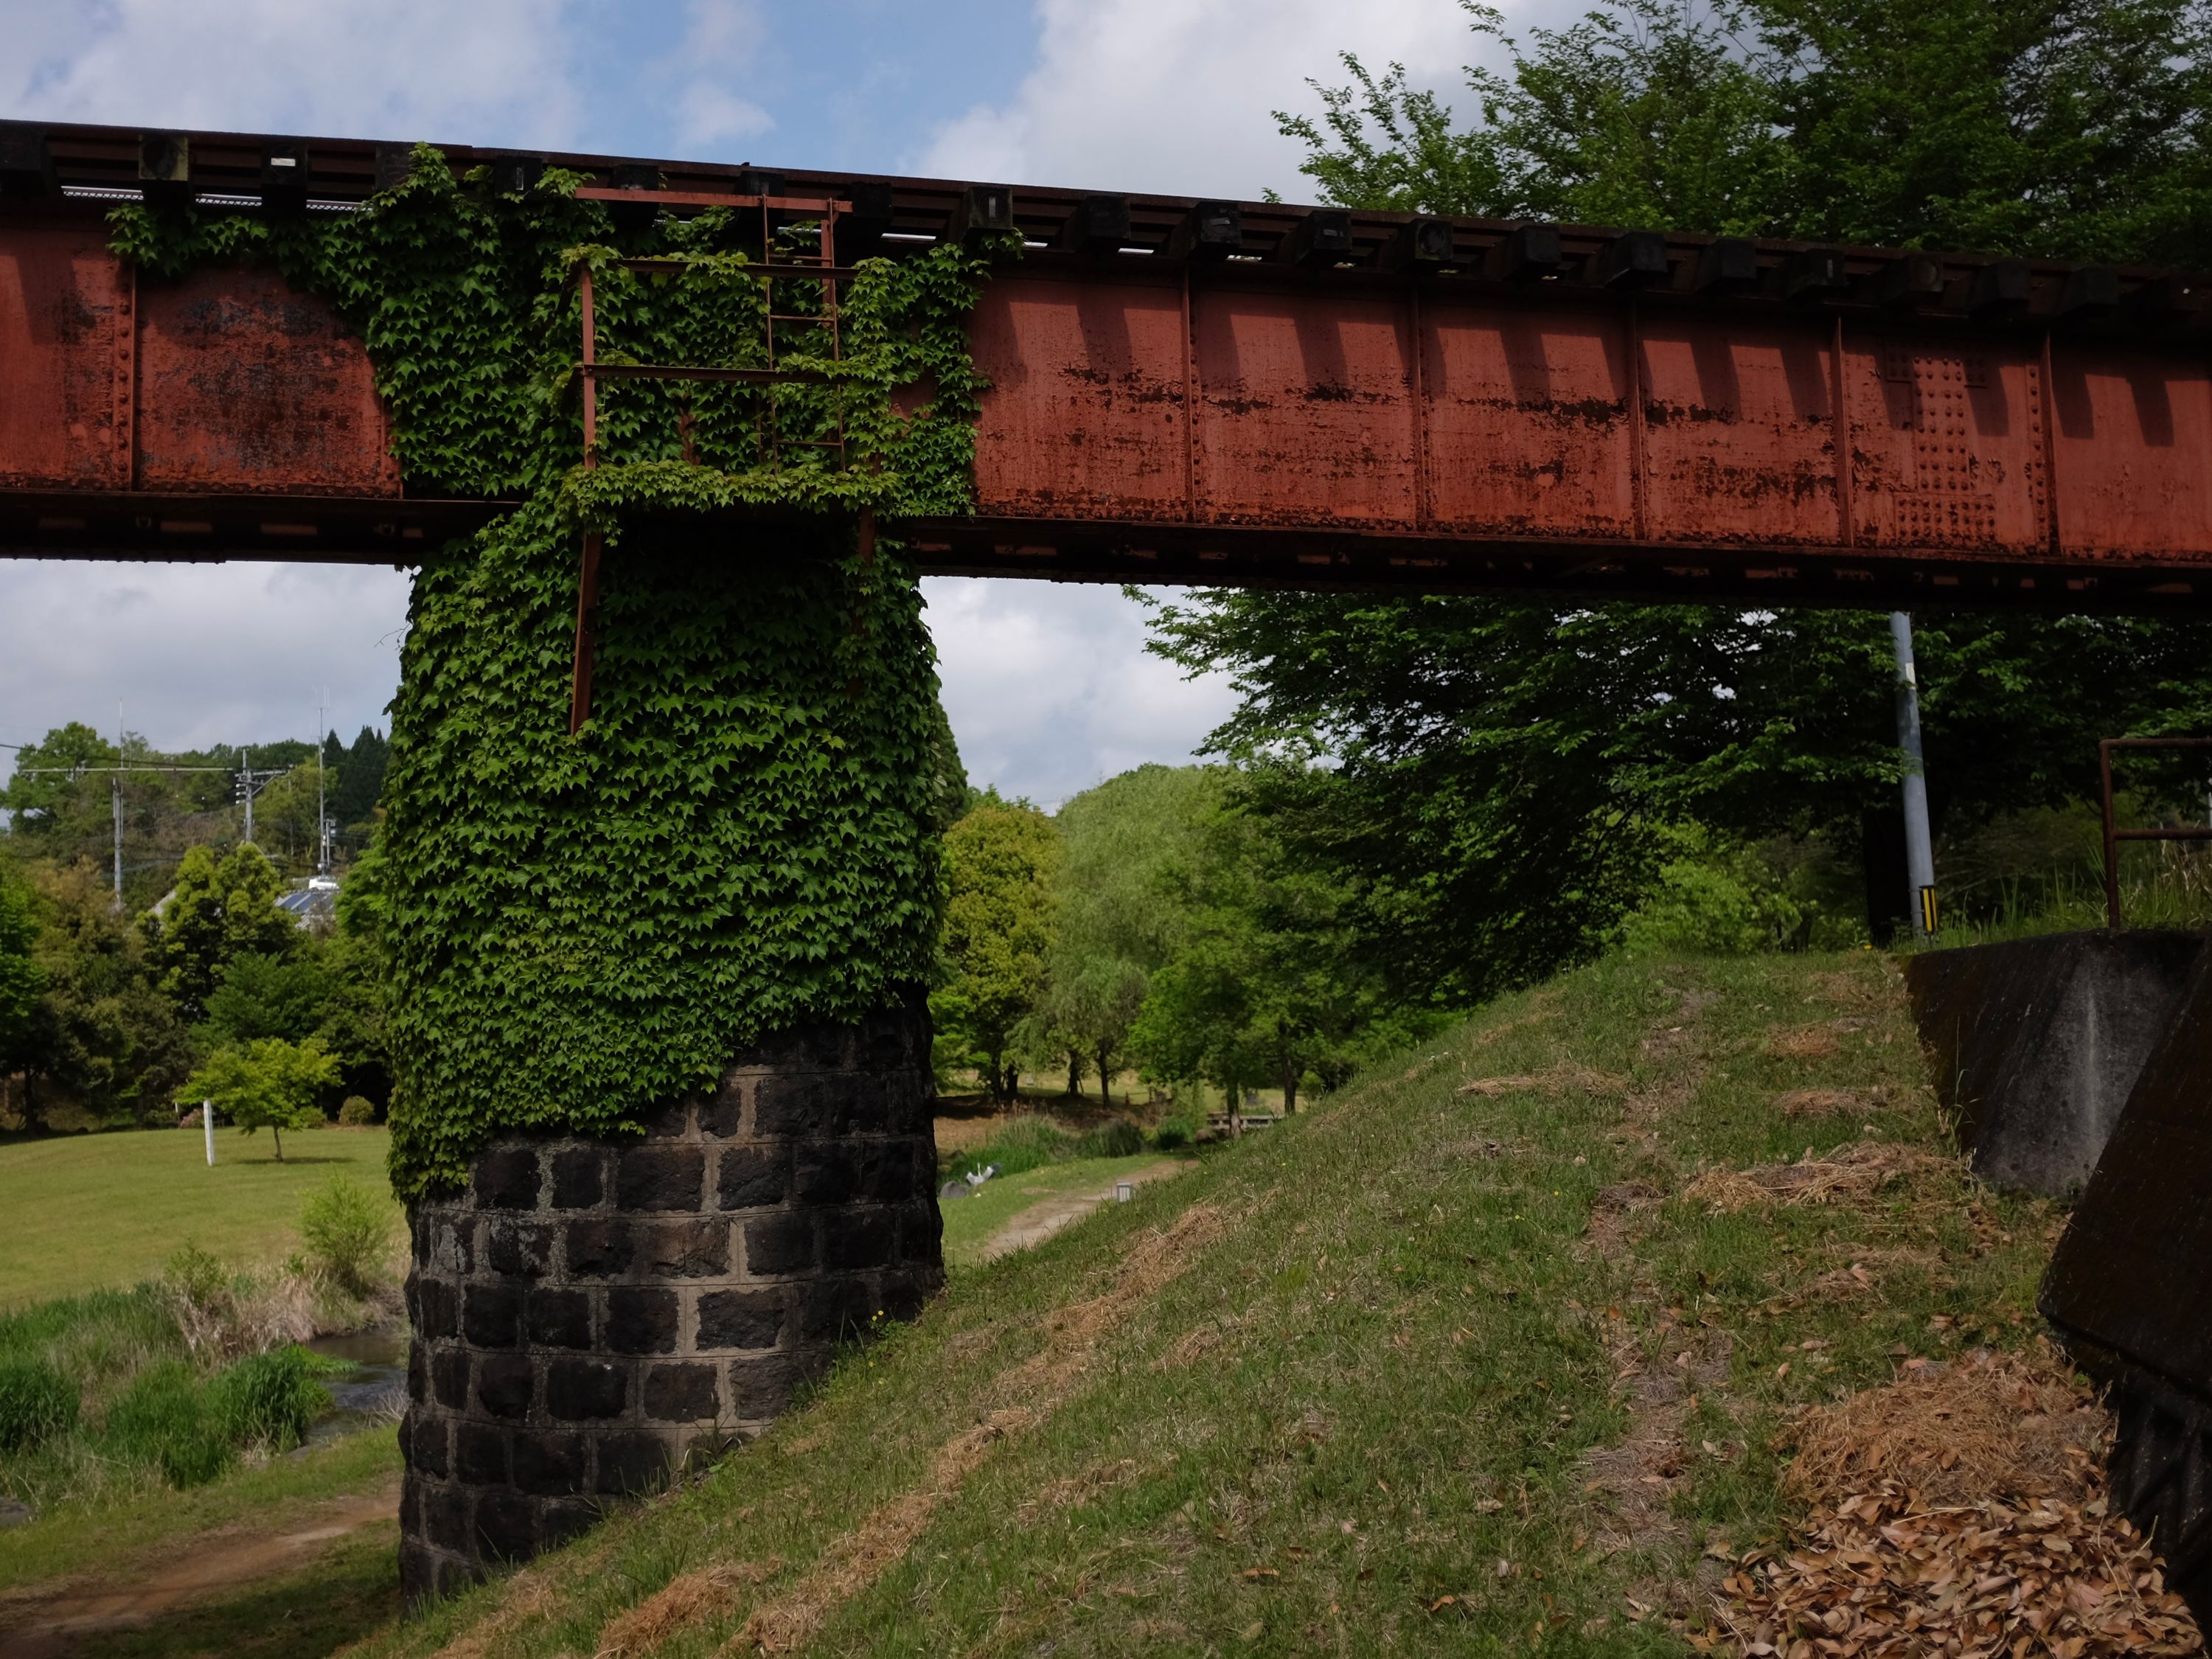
1224 393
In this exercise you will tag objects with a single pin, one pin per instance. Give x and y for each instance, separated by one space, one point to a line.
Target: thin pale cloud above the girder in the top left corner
490 72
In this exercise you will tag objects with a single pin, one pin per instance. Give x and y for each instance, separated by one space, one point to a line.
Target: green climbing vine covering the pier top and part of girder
740 839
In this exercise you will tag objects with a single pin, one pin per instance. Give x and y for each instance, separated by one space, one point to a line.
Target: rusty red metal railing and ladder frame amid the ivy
769 273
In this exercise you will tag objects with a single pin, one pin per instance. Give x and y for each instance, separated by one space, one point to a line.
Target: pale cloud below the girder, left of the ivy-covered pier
198 654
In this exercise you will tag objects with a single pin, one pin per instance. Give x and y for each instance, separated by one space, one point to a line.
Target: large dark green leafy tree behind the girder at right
1494 780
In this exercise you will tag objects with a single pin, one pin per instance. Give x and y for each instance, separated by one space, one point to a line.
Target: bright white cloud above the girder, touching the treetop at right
1178 96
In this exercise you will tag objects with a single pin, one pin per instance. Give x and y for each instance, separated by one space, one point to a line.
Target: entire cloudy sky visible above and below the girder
1047 687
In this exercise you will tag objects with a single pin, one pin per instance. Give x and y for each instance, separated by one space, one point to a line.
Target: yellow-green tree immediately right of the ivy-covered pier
999 917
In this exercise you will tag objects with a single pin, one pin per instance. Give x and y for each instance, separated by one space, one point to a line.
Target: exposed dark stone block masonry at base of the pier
594 1313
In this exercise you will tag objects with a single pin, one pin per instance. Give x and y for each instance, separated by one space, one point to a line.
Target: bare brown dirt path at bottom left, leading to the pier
45 1625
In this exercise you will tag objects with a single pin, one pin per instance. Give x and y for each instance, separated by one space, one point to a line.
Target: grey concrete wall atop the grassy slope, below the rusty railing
2038 1043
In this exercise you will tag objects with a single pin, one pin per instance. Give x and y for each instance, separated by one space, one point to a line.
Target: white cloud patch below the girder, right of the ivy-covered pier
1050 689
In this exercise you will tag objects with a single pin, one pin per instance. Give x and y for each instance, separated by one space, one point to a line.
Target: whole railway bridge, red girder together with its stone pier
612 1269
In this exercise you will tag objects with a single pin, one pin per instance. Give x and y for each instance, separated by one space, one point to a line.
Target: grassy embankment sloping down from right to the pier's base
1434 1368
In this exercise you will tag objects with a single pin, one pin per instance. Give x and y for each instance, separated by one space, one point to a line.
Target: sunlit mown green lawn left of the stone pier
94 1211
